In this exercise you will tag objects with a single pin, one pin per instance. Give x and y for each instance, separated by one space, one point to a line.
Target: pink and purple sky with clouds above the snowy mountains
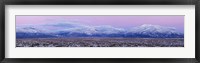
116 21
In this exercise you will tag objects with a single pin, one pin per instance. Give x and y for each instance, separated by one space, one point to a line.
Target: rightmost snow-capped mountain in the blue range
149 30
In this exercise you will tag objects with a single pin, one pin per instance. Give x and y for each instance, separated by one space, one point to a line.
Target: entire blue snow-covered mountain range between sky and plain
70 29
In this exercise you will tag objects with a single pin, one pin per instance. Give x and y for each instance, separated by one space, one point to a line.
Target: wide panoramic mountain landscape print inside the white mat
100 31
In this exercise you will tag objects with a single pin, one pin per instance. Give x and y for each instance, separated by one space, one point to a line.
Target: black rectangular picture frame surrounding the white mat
99 2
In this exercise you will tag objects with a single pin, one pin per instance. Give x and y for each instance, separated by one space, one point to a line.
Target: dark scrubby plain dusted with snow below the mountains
100 42
